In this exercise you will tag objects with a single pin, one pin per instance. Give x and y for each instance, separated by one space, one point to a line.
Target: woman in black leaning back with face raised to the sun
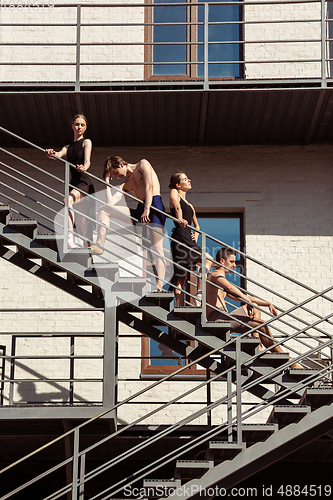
185 251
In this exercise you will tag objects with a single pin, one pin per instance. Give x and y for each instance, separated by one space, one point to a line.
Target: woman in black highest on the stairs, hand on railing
79 154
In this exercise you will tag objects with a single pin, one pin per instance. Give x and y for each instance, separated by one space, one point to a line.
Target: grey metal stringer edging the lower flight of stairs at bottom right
261 455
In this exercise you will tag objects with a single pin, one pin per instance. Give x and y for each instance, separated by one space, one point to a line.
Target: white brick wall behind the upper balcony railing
296 28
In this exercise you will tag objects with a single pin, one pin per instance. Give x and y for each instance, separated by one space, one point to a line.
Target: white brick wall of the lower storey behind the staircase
288 227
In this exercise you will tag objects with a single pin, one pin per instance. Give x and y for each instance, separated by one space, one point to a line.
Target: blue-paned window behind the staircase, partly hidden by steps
224 227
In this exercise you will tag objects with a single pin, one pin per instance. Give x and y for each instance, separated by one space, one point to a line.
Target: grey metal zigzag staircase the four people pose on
216 456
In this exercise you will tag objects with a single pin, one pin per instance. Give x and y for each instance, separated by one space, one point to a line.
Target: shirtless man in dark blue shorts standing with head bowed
142 181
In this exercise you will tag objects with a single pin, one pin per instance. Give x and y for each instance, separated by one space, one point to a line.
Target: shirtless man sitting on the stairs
246 313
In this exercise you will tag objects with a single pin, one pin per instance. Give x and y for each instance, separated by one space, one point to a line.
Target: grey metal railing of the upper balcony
199 44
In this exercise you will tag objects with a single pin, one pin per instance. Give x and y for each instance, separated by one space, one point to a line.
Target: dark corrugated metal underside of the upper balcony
174 117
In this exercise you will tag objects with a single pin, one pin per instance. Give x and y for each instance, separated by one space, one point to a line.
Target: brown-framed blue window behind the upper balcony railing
177 35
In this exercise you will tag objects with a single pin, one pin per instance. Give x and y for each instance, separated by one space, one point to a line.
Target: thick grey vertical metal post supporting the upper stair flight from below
110 350
